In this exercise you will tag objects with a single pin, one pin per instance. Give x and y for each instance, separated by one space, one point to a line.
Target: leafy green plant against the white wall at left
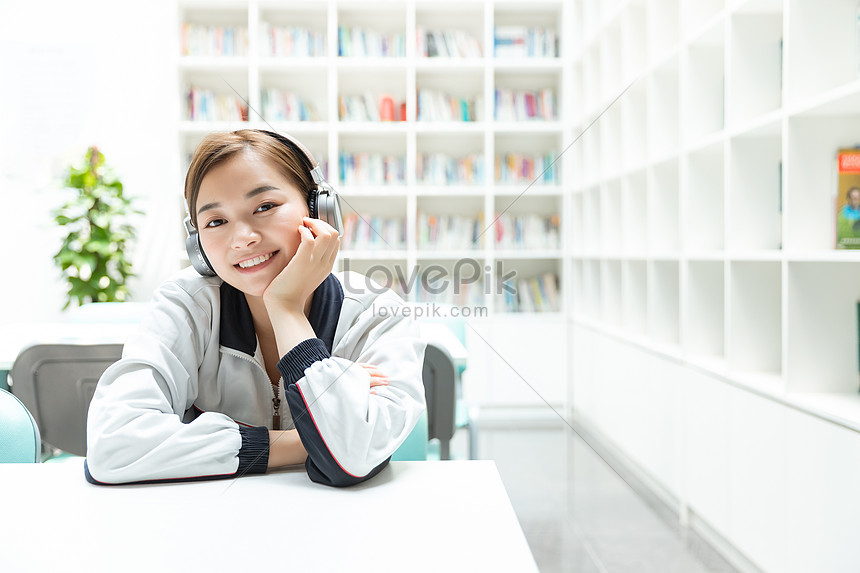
93 255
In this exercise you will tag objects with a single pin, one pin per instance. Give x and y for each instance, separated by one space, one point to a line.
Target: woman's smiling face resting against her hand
248 217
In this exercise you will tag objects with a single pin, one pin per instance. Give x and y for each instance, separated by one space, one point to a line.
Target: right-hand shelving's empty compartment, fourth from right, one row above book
663 121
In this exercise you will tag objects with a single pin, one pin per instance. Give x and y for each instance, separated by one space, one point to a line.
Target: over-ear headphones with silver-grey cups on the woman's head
323 203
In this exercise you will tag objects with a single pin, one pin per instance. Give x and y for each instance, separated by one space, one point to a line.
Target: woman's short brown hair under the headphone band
217 148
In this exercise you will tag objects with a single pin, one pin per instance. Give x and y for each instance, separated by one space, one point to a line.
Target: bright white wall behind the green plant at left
74 74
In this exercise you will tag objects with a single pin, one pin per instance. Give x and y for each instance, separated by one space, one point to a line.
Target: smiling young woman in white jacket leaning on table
271 362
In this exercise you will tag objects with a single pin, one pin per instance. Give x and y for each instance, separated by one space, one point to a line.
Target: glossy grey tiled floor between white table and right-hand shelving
578 514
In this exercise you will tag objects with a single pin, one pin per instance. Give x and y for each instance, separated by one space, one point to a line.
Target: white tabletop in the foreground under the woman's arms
414 516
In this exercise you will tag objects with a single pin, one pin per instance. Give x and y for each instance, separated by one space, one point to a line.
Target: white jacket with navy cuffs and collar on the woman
190 398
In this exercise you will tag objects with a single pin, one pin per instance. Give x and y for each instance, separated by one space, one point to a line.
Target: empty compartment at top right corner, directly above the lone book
824 48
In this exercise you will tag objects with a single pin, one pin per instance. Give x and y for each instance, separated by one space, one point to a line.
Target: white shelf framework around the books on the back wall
320 81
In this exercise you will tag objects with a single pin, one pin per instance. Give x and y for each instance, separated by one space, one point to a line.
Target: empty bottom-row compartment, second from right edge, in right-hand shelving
754 342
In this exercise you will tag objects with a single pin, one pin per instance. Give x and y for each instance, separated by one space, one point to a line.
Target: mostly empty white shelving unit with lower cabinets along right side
706 293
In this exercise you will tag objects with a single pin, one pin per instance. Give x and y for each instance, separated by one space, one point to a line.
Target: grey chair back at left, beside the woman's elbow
56 382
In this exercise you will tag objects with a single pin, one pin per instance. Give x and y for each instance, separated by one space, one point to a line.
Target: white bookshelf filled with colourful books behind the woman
451 153
